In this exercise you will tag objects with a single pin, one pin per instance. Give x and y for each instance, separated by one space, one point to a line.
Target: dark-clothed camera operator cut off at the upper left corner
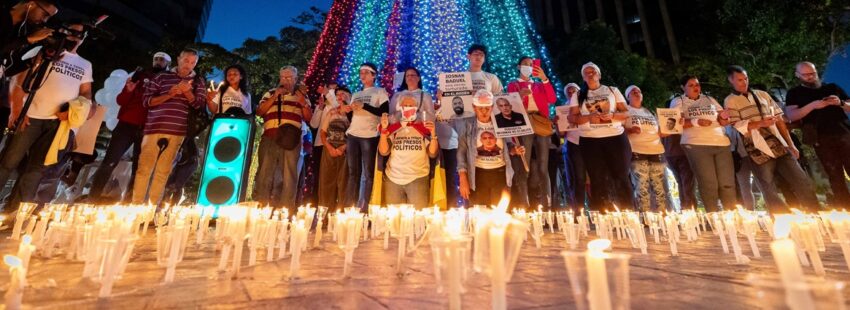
17 32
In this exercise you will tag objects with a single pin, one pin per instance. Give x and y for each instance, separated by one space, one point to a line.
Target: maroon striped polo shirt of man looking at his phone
170 117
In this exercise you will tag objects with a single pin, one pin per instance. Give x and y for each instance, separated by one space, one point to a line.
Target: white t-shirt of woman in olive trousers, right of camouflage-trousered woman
707 108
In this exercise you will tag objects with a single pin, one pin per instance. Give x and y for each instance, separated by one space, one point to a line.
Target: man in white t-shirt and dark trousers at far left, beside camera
69 77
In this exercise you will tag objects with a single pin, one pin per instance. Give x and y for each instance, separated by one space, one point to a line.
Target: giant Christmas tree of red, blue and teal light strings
431 35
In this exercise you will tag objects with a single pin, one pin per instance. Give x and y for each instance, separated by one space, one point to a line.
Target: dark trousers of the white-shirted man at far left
32 142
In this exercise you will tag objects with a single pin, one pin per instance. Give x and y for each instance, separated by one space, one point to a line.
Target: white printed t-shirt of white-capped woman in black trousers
601 100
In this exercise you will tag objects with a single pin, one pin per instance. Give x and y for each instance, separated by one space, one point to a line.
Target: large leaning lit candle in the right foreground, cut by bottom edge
784 254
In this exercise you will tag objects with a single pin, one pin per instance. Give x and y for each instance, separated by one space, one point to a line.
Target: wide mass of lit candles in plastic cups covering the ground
104 238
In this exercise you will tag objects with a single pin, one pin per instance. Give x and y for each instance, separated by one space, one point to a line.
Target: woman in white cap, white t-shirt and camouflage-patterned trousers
648 164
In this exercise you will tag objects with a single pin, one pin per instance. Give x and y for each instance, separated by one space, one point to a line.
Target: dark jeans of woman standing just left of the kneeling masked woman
360 154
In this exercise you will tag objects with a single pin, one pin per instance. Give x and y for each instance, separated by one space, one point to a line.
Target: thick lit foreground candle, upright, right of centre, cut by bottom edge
598 294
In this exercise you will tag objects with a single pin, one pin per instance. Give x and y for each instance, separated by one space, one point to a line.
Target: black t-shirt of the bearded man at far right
827 121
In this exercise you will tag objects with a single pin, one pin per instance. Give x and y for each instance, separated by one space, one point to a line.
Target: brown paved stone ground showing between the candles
702 277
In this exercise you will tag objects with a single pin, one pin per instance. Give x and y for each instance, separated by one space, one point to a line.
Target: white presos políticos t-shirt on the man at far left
61 85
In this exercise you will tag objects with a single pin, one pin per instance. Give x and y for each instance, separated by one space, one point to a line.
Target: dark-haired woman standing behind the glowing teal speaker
232 93
